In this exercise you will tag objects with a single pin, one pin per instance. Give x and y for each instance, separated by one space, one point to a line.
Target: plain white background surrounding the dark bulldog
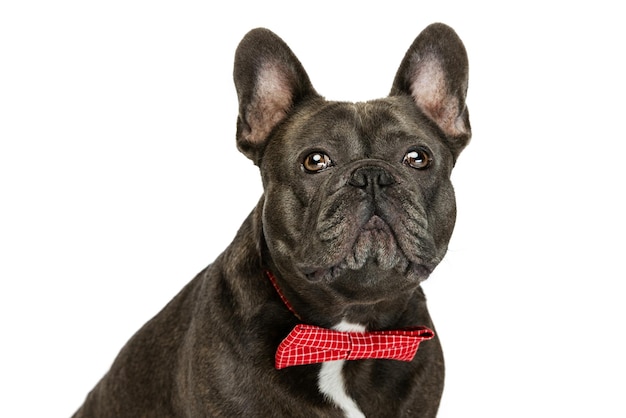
119 180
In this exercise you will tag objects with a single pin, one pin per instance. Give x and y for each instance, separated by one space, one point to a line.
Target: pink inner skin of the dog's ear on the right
430 92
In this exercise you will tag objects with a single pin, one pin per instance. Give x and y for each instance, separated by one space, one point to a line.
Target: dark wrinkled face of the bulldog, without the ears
359 188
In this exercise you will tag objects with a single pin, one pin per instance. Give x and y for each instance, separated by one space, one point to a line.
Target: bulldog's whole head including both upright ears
358 197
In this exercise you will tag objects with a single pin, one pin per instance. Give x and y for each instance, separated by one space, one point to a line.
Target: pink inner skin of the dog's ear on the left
271 102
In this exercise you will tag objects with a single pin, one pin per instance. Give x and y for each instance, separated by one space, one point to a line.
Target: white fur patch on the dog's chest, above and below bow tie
331 382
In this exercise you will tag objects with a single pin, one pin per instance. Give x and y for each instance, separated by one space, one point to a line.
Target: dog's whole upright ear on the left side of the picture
270 82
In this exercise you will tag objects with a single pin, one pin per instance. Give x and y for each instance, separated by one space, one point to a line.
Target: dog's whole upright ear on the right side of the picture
435 73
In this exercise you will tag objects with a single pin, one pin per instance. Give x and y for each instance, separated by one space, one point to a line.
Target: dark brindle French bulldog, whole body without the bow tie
357 211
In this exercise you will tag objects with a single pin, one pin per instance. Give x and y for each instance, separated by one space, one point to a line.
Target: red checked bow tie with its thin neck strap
308 344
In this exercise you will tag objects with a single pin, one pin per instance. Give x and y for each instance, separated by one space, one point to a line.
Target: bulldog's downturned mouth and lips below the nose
375 245
